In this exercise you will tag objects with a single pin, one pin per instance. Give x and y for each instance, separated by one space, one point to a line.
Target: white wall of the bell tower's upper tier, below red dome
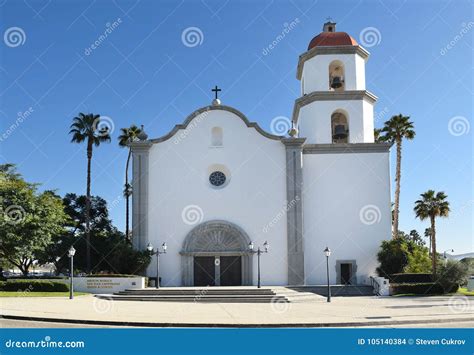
315 73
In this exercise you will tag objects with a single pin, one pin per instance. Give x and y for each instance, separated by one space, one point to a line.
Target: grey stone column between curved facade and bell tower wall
294 185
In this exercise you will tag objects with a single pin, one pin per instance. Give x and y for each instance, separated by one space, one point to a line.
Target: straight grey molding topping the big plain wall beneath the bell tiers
346 148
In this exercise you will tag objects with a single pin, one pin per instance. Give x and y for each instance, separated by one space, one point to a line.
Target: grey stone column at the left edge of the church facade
140 155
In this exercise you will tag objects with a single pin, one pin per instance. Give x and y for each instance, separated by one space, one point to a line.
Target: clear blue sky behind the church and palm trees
143 73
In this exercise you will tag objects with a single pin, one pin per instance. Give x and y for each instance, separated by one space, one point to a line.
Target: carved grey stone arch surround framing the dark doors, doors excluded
216 239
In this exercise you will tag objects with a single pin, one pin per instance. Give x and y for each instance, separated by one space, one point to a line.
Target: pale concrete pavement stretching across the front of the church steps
342 311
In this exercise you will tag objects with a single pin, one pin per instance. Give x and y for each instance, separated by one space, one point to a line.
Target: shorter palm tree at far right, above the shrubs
432 205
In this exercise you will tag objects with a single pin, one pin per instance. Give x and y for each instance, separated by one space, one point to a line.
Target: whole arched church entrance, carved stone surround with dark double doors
215 253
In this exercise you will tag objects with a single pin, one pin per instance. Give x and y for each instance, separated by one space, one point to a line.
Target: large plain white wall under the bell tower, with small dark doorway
341 192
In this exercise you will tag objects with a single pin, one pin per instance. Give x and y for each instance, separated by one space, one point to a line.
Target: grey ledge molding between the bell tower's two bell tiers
331 96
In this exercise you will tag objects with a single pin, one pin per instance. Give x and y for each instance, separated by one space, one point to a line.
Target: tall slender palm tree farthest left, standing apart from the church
87 128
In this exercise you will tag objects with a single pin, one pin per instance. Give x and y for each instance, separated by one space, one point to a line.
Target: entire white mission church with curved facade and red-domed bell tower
218 182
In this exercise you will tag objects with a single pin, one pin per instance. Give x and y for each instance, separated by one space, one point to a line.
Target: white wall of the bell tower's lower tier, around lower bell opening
314 120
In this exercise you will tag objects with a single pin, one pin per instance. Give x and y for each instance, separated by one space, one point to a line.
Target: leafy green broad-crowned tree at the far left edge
28 220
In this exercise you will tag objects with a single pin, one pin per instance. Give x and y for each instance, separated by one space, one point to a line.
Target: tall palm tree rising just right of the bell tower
395 130
